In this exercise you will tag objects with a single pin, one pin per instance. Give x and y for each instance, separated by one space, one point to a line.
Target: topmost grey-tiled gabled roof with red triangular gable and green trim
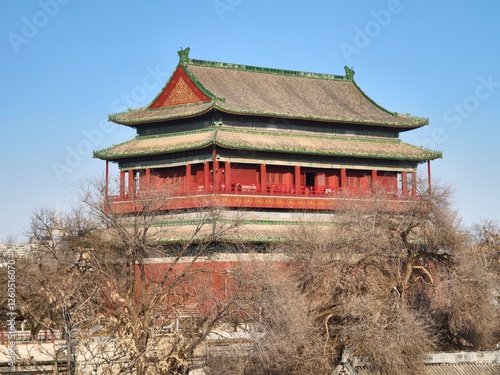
197 87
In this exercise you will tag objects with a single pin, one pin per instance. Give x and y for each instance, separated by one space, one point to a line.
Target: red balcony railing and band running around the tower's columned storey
284 197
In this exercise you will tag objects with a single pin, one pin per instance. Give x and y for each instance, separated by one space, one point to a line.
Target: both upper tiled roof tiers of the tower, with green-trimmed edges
197 87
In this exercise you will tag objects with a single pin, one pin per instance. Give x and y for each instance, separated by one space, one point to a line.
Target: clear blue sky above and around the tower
67 64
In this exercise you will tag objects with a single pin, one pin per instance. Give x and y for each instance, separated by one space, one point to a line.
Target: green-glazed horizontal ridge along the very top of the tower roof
258 69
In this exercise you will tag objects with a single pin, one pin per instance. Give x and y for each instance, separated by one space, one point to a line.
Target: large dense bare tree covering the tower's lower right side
384 286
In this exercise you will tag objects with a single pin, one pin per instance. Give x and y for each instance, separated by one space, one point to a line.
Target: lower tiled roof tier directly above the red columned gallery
269 141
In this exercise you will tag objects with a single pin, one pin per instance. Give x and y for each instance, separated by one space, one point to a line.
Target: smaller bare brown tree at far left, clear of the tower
53 293
